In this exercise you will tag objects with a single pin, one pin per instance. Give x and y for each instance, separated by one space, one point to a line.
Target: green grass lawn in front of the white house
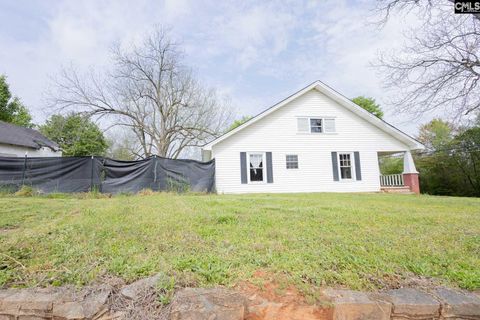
360 241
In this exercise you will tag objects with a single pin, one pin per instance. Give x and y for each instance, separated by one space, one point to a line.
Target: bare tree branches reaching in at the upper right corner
439 67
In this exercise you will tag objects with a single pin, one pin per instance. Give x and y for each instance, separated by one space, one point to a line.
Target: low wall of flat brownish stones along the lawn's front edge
224 304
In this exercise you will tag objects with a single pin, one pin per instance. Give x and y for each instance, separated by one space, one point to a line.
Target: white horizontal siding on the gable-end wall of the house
278 134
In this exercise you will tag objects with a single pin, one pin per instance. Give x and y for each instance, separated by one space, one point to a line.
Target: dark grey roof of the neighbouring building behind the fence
25 137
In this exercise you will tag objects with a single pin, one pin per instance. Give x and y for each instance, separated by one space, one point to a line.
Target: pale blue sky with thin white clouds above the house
254 52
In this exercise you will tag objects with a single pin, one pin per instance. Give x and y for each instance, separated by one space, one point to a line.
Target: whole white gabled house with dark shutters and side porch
316 140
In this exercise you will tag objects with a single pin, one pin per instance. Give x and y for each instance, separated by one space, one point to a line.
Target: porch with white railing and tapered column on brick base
404 182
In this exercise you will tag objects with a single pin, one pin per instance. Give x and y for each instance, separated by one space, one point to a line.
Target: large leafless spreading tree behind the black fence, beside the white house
151 92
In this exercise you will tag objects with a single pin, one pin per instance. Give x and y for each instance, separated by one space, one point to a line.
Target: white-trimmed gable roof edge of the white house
412 143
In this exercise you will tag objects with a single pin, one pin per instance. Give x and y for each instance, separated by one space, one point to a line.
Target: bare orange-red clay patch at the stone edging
268 298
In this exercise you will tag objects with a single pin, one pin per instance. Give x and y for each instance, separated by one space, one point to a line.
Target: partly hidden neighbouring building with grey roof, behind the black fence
16 141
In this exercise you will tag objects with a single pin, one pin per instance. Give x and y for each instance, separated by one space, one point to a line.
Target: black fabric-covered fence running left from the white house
82 174
